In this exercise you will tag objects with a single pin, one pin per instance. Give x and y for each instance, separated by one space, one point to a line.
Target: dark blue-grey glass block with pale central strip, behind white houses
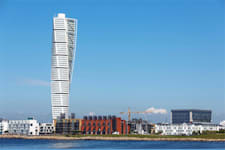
191 116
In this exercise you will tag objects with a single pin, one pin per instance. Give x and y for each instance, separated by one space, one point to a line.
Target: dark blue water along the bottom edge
98 144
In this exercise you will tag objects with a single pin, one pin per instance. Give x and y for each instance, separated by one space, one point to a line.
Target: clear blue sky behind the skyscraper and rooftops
140 53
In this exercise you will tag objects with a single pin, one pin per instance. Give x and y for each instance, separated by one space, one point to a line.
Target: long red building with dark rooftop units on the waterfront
104 125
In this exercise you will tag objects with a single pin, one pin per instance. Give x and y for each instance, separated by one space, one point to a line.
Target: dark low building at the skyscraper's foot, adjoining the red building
67 126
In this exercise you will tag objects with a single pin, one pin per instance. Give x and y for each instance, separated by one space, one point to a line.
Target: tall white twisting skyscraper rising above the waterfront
63 55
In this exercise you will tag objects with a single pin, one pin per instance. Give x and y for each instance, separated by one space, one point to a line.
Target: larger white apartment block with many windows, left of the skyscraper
23 127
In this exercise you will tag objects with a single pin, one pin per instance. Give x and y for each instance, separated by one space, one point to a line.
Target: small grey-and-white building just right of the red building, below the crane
139 126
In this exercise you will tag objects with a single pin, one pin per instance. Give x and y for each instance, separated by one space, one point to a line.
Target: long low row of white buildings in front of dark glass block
185 129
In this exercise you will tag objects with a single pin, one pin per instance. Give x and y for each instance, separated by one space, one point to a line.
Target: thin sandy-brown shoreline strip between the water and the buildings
48 137
